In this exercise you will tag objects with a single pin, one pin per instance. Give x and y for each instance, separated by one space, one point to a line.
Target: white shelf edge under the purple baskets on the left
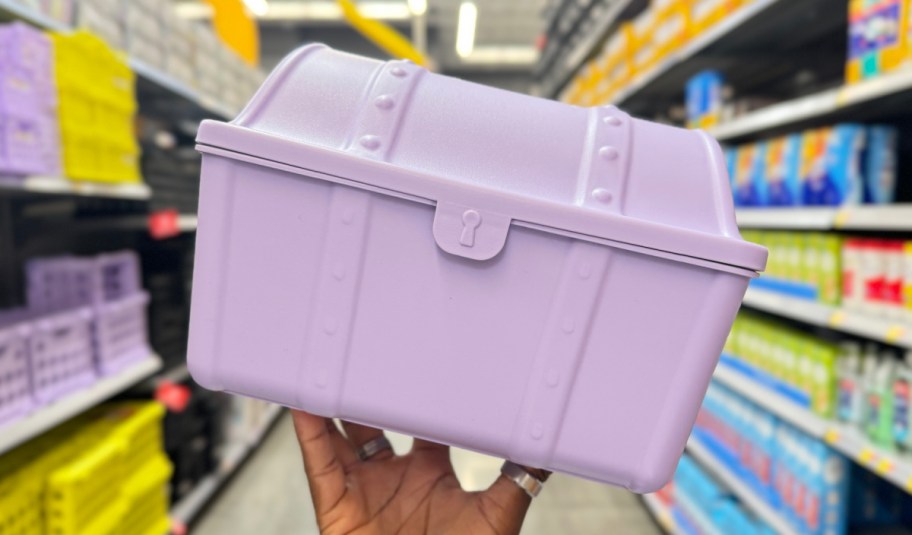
47 417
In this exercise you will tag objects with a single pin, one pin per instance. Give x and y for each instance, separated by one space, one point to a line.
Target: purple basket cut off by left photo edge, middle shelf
15 387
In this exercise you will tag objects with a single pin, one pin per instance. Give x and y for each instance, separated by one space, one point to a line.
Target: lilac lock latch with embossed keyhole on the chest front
470 232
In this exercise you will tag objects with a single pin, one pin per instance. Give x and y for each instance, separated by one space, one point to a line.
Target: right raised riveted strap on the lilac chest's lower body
563 341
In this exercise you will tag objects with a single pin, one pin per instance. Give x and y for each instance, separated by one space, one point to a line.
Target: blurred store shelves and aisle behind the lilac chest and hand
805 429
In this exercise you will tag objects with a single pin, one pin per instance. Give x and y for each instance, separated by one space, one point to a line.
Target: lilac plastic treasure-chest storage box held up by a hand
512 275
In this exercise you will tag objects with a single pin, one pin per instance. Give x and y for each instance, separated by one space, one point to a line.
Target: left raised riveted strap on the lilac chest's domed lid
377 124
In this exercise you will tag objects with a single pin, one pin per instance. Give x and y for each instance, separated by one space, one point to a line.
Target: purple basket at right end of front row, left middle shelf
120 333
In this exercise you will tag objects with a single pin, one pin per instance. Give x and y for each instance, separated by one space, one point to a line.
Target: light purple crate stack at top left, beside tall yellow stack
28 132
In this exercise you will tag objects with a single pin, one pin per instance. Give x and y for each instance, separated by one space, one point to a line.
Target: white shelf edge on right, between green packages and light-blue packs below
892 466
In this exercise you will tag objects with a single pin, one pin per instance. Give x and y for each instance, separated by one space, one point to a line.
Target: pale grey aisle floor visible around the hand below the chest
270 497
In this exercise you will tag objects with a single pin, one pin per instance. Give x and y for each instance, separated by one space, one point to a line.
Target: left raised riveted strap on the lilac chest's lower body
333 304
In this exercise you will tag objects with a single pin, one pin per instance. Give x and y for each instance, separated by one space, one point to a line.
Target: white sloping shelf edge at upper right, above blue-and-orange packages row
827 105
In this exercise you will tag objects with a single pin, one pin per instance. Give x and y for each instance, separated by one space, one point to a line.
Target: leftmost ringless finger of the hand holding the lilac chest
324 468
